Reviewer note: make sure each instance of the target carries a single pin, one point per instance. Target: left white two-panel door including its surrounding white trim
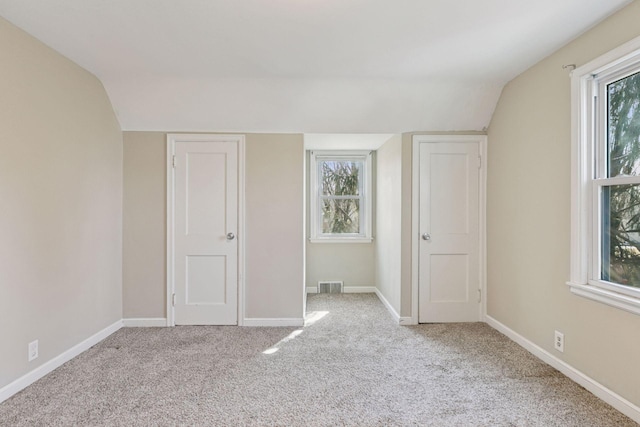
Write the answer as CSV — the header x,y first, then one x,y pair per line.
x,y
205,228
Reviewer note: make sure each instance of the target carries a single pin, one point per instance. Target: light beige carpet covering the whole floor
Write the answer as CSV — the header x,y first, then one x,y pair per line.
x,y
353,366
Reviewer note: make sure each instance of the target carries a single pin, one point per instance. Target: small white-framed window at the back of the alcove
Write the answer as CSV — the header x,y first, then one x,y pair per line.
x,y
340,196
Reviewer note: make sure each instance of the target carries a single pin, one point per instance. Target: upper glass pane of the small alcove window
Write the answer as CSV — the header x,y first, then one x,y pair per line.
x,y
340,178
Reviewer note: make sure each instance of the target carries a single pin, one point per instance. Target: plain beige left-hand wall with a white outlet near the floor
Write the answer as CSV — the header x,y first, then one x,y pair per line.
x,y
60,204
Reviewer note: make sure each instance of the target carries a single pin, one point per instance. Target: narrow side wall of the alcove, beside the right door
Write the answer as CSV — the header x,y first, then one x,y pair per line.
x,y
389,221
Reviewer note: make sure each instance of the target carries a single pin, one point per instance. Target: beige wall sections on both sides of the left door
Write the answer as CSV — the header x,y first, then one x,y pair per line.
x,y
274,242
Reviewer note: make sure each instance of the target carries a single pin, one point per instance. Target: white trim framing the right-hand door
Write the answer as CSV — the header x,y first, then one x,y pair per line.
x,y
482,141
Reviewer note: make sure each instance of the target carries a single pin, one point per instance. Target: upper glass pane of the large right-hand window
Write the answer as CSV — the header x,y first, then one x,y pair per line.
x,y
623,126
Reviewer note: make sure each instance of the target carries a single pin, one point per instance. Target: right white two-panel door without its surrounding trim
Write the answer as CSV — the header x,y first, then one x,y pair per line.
x,y
449,248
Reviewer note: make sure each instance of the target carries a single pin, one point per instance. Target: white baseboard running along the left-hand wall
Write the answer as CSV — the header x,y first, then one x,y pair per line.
x,y
42,370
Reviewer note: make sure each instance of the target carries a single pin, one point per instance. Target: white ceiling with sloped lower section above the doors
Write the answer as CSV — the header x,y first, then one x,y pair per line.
x,y
342,66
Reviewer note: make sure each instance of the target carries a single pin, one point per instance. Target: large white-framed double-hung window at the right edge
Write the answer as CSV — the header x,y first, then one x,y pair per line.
x,y
605,248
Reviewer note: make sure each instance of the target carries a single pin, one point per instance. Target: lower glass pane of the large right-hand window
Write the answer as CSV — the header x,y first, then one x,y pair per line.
x,y
621,234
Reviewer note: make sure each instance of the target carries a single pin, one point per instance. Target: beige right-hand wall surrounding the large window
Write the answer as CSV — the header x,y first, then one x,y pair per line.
x,y
529,219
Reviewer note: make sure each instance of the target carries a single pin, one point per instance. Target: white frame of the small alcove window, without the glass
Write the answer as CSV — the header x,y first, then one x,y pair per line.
x,y
365,213
